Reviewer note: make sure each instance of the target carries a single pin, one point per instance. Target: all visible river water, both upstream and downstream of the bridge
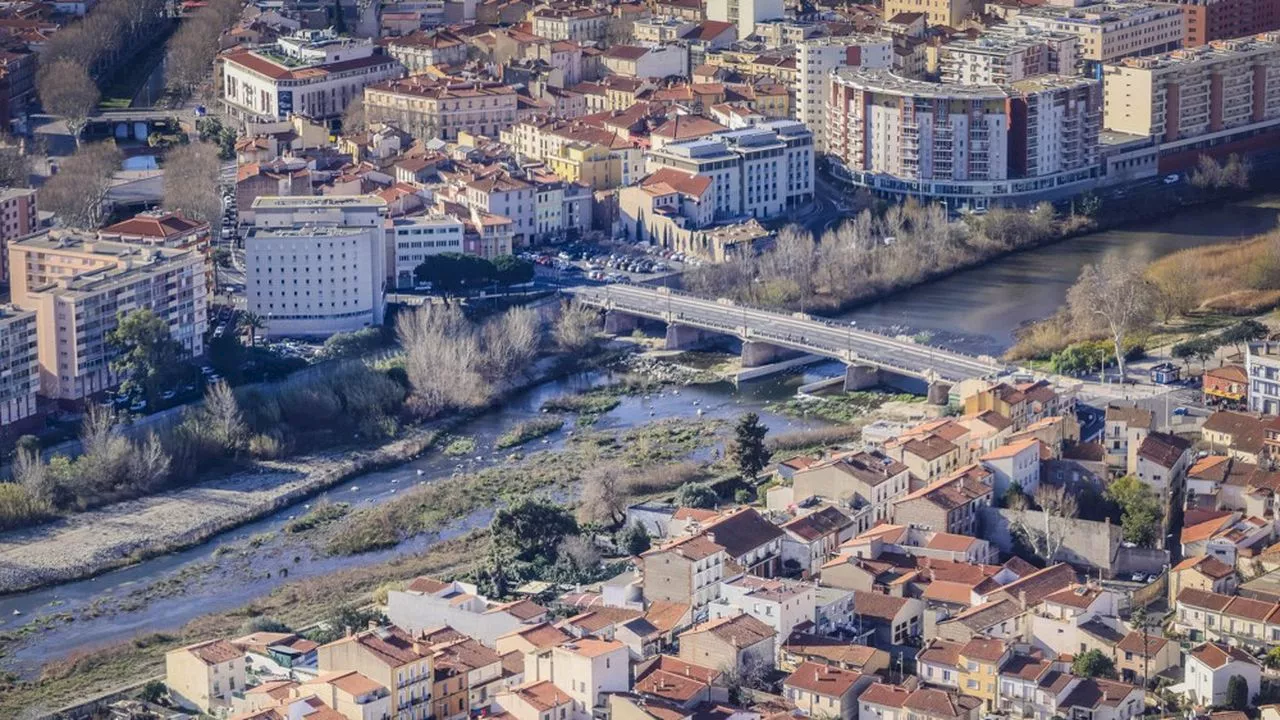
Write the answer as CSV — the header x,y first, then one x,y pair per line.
x,y
979,309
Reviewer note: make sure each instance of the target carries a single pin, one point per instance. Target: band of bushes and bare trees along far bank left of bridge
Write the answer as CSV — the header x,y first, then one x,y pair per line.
x,y
449,363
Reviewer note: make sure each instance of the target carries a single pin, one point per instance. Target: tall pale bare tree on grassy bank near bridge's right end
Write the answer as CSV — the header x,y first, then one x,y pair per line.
x,y
1114,297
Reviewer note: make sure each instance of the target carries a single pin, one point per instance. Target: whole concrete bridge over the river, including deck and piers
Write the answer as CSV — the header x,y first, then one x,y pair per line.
x,y
769,338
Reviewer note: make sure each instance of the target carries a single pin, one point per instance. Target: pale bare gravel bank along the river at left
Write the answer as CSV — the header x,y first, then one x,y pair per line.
x,y
120,535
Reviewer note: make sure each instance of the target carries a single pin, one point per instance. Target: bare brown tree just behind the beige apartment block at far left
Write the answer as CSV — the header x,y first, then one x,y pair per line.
x,y
77,194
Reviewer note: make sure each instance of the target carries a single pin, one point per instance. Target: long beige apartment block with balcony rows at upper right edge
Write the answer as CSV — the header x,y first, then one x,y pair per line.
x,y
1199,94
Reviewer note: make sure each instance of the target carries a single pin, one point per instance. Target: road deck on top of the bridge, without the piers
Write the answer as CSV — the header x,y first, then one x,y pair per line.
x,y
803,334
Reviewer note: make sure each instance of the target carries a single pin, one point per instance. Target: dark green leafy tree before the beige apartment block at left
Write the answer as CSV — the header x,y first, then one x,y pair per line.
x,y
148,358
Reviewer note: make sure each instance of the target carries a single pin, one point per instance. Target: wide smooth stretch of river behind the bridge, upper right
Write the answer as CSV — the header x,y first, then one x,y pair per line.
x,y
985,306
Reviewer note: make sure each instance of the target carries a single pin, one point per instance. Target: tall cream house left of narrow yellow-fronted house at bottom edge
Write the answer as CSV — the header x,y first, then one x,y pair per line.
x,y
391,658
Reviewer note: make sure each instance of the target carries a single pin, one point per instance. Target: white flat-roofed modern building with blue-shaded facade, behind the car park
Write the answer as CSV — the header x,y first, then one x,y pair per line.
x,y
758,172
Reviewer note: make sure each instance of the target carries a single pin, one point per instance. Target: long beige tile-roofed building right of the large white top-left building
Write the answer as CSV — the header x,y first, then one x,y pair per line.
x,y
429,108
